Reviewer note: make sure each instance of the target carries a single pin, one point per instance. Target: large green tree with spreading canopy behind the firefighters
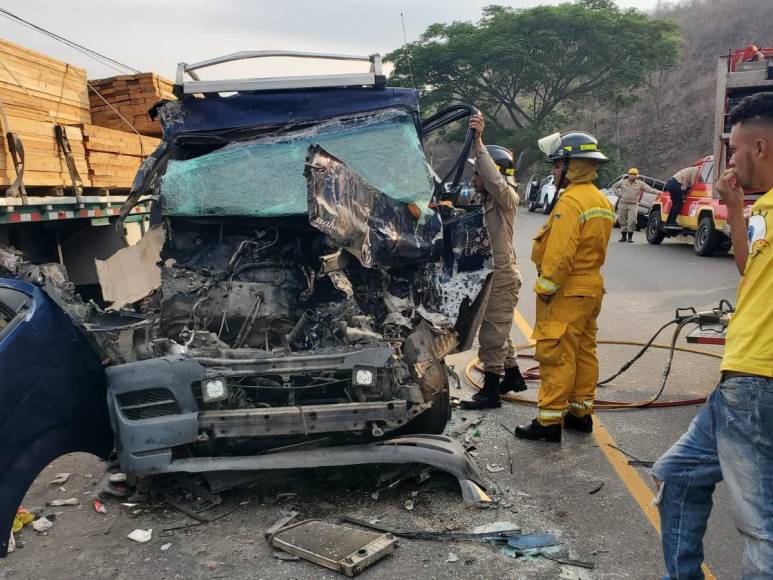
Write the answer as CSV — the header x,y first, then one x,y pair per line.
x,y
531,70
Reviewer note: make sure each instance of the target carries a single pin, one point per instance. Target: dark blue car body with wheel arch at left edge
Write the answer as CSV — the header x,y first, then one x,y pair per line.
x,y
53,398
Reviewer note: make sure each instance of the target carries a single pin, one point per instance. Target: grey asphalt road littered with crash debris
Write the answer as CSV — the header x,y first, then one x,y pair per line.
x,y
538,487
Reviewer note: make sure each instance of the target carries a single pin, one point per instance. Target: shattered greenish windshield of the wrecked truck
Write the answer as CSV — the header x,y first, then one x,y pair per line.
x,y
264,177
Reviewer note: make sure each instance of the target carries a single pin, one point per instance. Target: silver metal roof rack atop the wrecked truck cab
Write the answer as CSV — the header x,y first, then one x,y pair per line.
x,y
374,78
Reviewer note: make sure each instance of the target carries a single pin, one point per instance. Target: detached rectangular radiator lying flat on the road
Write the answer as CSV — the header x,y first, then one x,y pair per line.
x,y
340,548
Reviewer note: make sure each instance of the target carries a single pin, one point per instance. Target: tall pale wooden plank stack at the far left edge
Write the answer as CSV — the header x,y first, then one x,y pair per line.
x,y
38,92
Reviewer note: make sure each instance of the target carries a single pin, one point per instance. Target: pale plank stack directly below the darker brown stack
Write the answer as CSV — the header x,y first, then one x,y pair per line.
x,y
113,157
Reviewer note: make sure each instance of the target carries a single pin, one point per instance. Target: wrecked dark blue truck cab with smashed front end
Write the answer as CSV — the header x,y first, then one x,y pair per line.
x,y
312,282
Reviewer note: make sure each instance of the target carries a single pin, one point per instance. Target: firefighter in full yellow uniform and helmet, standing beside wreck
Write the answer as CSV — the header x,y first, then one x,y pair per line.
x,y
569,252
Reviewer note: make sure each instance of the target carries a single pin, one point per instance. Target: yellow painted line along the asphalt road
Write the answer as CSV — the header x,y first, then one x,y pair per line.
x,y
629,476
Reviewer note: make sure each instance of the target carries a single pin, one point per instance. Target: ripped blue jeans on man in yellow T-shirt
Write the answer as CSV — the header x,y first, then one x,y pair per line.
x,y
730,438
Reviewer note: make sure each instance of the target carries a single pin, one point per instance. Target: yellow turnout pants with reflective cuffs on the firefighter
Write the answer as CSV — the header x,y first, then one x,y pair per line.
x,y
565,333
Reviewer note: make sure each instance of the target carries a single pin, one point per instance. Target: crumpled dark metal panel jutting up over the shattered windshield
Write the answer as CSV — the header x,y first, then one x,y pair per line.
x,y
375,227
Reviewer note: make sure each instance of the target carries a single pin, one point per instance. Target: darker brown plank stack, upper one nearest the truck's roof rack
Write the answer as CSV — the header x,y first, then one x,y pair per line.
x,y
131,96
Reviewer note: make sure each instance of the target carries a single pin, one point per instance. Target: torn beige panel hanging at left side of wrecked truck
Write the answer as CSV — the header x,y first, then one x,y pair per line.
x,y
132,273
